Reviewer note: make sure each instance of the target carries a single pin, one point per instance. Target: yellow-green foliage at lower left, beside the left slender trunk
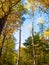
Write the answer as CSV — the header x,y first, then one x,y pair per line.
x,y
8,54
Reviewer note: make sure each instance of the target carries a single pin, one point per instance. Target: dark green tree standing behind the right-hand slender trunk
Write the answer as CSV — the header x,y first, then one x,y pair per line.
x,y
40,49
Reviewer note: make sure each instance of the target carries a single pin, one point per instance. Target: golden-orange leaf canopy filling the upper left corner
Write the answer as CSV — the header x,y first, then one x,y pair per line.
x,y
10,12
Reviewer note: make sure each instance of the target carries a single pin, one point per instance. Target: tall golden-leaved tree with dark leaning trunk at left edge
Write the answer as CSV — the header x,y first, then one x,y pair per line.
x,y
13,11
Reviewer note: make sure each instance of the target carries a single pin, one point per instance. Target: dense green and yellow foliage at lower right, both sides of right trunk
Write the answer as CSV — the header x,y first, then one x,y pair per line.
x,y
41,51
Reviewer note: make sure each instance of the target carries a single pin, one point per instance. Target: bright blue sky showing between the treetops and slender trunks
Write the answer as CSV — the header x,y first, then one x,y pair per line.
x,y
26,32
